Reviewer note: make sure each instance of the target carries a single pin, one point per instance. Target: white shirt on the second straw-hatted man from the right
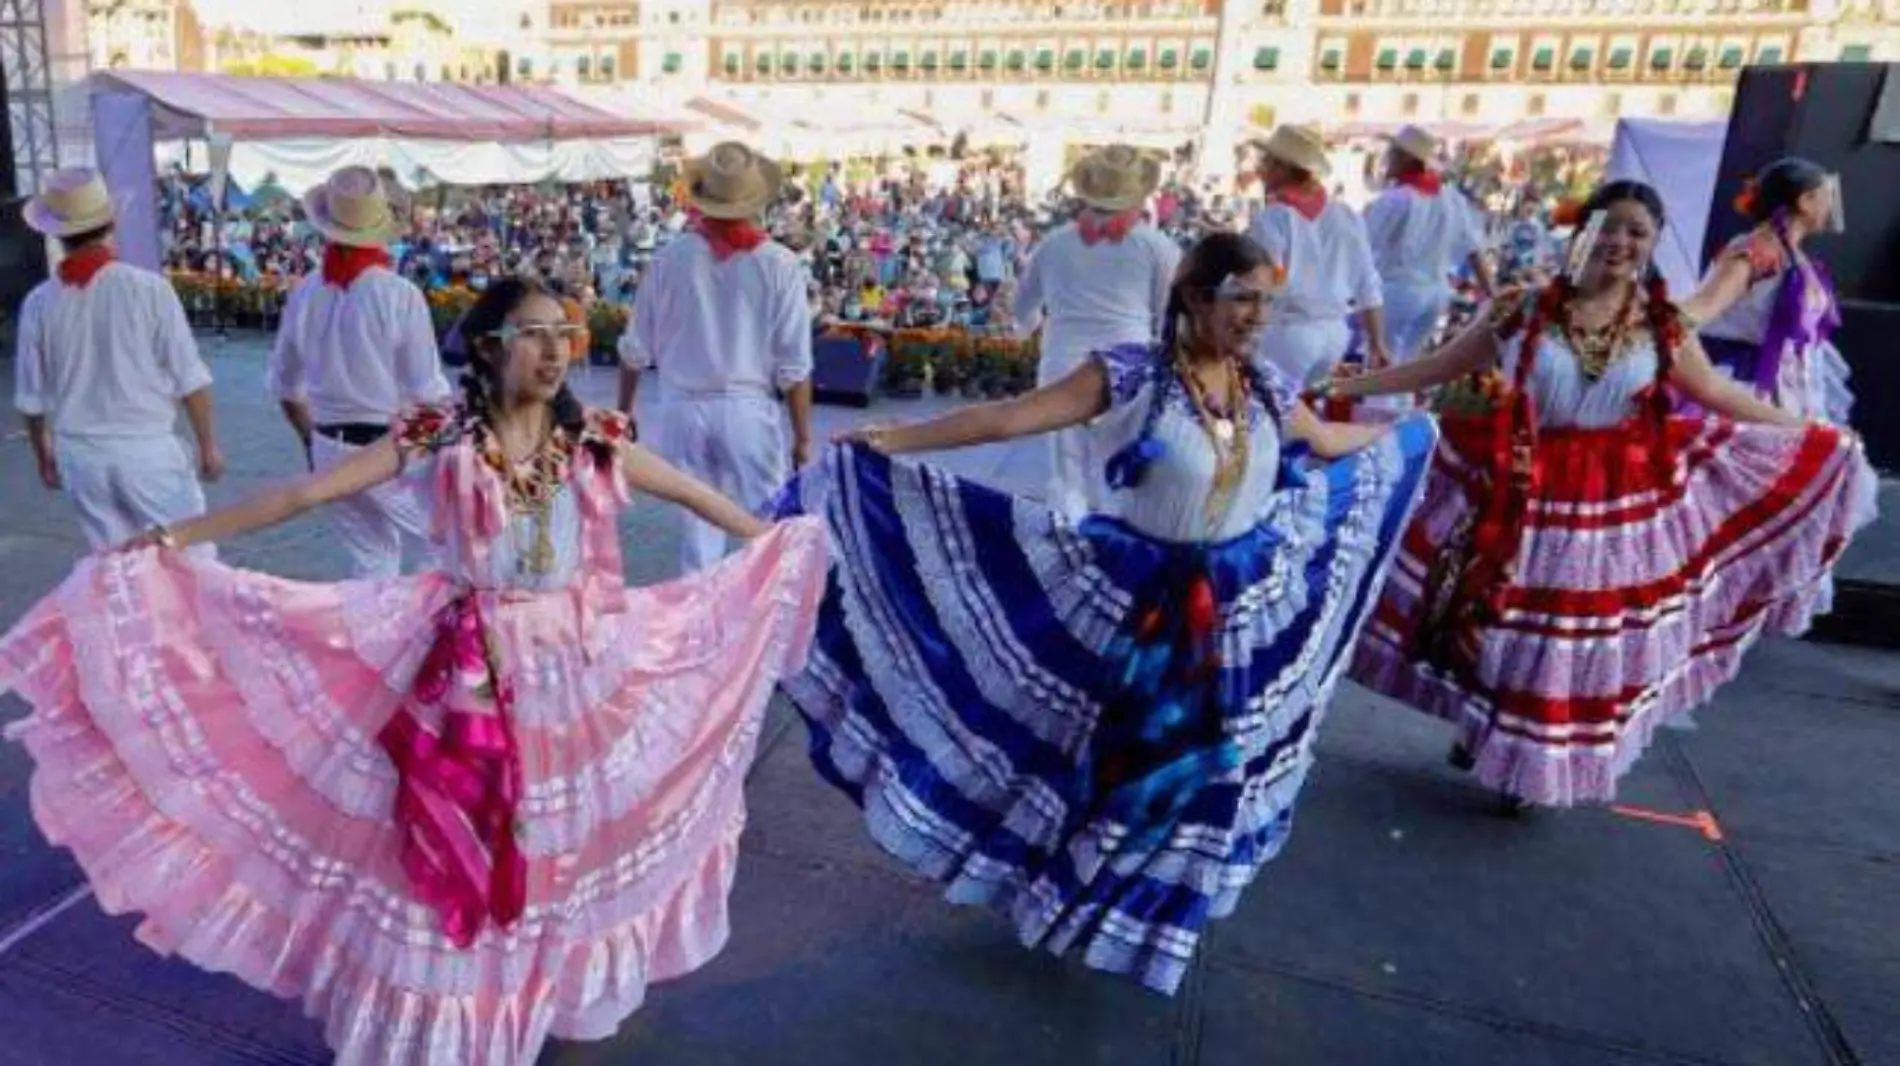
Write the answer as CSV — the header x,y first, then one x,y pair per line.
x,y
1329,263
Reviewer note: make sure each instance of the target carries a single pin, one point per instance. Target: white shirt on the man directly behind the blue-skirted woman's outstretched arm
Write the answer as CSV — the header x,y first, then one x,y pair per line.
x,y
1097,295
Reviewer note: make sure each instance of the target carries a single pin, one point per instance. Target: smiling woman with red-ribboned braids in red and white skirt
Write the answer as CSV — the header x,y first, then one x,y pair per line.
x,y
1587,567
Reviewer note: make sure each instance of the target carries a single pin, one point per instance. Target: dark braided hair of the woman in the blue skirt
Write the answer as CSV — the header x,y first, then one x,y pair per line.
x,y
1207,265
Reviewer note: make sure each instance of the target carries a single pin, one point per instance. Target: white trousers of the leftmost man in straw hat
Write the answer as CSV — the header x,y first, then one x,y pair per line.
x,y
124,487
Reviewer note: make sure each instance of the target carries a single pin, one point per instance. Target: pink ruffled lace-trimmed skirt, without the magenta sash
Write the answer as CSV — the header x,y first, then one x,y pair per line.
x,y
206,744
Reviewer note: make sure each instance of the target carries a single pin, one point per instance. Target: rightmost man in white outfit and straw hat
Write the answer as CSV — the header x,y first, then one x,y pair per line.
x,y
1420,233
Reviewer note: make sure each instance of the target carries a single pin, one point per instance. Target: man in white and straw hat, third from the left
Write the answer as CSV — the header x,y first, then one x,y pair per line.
x,y
725,324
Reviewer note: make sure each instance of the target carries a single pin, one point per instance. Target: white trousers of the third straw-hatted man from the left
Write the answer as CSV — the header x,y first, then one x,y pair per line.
x,y
732,442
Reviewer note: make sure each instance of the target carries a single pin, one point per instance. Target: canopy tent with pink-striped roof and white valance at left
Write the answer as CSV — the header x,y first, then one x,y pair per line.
x,y
295,132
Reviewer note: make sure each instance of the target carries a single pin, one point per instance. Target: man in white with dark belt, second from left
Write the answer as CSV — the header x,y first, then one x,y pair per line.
x,y
356,349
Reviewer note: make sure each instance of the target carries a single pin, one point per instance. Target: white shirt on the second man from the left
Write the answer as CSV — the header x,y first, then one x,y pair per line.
x,y
360,354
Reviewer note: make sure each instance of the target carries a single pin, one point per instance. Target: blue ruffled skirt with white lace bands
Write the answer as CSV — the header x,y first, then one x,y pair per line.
x,y
1090,731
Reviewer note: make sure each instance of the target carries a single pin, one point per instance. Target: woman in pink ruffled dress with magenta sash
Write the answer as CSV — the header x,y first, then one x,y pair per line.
x,y
455,814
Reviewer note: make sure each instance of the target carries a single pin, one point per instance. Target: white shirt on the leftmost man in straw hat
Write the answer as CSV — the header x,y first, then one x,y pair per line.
x,y
109,360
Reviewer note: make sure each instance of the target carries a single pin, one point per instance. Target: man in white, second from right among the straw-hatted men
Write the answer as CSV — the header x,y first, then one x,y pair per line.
x,y
1323,248
